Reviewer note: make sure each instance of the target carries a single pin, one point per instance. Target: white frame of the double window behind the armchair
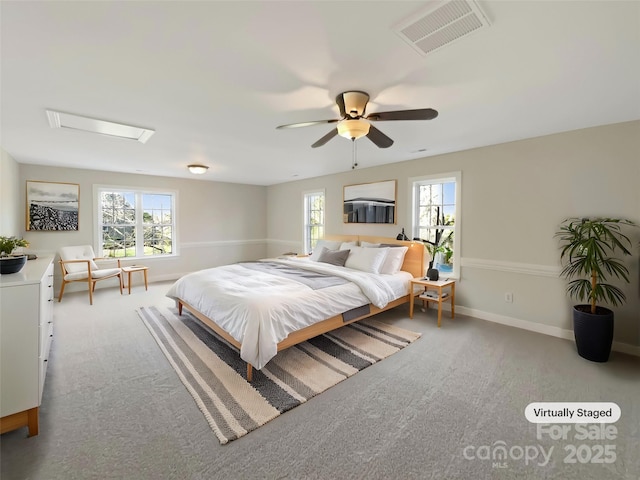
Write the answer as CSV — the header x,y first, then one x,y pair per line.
x,y
137,191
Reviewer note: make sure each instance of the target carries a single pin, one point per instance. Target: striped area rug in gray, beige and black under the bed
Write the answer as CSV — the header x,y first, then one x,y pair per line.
x,y
214,374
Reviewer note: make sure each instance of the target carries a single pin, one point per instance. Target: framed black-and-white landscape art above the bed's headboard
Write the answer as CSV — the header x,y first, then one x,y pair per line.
x,y
370,203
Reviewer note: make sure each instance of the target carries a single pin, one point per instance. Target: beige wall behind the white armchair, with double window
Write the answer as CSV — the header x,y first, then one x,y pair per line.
x,y
218,223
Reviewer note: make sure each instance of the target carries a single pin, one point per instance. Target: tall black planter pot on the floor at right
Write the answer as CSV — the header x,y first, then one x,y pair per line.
x,y
593,332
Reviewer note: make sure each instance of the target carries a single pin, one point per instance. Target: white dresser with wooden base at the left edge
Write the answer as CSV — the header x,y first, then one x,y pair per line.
x,y
26,331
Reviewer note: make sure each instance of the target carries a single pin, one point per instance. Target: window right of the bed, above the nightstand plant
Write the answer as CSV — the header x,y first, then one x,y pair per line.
x,y
436,218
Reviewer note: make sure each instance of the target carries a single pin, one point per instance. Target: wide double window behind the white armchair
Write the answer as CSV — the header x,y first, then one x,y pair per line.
x,y
135,223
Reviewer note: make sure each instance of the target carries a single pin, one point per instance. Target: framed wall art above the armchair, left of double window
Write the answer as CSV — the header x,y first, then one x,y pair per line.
x,y
52,206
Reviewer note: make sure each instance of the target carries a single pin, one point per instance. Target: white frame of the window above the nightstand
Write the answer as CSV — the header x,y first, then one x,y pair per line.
x,y
446,177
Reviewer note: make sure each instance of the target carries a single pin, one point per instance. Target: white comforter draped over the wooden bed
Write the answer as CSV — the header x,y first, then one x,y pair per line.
x,y
260,310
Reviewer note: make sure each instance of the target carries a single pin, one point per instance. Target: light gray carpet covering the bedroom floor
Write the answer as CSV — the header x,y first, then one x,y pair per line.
x,y
113,407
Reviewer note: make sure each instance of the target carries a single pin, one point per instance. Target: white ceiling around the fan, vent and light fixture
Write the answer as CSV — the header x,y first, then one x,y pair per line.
x,y
215,78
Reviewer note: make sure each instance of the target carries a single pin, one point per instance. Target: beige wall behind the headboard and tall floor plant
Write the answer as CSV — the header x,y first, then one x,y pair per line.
x,y
514,196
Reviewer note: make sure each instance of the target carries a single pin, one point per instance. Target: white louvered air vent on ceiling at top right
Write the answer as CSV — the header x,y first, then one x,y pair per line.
x,y
442,23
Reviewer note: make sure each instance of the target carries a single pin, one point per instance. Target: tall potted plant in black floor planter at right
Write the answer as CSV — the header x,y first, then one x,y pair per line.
x,y
591,251
